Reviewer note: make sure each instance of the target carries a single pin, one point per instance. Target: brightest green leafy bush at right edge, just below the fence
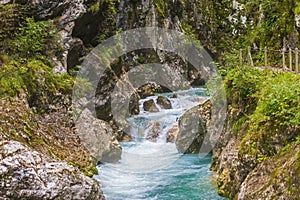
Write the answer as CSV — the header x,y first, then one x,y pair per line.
x,y
278,104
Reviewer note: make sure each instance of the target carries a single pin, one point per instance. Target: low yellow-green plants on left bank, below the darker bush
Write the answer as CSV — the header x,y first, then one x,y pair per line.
x,y
32,77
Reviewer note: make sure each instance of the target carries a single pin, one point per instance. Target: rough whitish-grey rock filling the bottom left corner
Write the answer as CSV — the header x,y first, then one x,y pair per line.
x,y
27,174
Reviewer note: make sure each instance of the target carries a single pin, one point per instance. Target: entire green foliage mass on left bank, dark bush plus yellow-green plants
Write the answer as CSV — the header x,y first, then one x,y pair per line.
x,y
29,67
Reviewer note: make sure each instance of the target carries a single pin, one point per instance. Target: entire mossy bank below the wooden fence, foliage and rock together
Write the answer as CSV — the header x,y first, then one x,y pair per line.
x,y
257,156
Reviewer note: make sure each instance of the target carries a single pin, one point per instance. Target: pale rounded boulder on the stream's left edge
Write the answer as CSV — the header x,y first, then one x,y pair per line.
x,y
98,138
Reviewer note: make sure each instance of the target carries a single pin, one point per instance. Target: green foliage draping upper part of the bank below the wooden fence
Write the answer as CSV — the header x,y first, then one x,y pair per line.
x,y
267,103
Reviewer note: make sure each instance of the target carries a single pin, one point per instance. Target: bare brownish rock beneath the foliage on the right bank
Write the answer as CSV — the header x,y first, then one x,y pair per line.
x,y
241,175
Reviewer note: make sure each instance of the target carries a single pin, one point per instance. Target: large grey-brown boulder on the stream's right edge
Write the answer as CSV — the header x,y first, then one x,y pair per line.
x,y
193,136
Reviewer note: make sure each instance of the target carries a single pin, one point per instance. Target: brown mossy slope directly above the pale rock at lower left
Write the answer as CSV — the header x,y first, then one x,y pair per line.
x,y
51,134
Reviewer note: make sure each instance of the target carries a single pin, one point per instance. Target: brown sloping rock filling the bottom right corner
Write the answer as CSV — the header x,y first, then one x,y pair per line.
x,y
277,178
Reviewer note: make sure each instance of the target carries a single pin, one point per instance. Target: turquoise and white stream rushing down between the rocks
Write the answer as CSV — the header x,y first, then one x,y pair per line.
x,y
155,170
